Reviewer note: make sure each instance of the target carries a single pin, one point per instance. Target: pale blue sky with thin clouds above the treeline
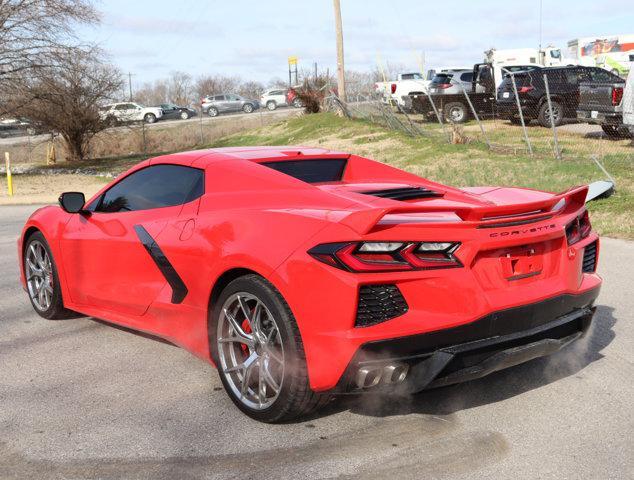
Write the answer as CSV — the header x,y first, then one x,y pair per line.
x,y
252,39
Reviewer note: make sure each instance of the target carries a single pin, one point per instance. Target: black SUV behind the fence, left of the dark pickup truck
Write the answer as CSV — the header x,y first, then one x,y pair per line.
x,y
563,83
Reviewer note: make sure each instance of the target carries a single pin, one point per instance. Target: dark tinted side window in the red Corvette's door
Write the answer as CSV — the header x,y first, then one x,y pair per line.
x,y
155,186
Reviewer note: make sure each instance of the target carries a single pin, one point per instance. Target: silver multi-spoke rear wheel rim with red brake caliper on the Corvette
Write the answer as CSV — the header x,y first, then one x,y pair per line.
x,y
250,350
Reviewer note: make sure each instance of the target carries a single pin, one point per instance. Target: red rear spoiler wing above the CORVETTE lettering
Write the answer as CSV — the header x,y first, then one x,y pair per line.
x,y
363,221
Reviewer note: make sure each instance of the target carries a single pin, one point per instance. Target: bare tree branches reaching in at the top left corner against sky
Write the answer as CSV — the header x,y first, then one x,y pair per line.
x,y
32,32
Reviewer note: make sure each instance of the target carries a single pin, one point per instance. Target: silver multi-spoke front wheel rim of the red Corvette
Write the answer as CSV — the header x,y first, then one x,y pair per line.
x,y
39,275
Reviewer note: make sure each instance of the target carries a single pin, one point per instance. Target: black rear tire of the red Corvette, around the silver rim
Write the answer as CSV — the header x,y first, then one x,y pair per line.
x,y
295,397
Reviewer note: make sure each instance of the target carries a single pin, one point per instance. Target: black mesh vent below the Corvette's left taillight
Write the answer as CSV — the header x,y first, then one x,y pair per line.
x,y
378,303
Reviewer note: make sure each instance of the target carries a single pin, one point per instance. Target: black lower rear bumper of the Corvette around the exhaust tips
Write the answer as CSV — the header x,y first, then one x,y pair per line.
x,y
499,340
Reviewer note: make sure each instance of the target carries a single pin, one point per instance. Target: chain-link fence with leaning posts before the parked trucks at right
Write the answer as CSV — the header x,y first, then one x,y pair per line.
x,y
559,113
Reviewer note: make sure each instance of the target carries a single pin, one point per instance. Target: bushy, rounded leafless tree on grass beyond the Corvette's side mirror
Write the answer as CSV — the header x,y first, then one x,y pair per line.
x,y
64,97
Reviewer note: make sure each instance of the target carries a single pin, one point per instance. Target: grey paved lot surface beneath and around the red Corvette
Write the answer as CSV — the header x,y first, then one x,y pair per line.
x,y
83,399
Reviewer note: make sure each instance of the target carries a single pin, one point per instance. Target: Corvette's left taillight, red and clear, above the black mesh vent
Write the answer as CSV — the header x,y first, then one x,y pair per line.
x,y
387,256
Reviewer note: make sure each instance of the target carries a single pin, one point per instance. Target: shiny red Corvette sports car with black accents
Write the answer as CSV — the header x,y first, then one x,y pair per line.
x,y
301,272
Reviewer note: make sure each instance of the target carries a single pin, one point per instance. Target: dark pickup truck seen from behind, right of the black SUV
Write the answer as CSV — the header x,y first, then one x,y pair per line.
x,y
601,102
